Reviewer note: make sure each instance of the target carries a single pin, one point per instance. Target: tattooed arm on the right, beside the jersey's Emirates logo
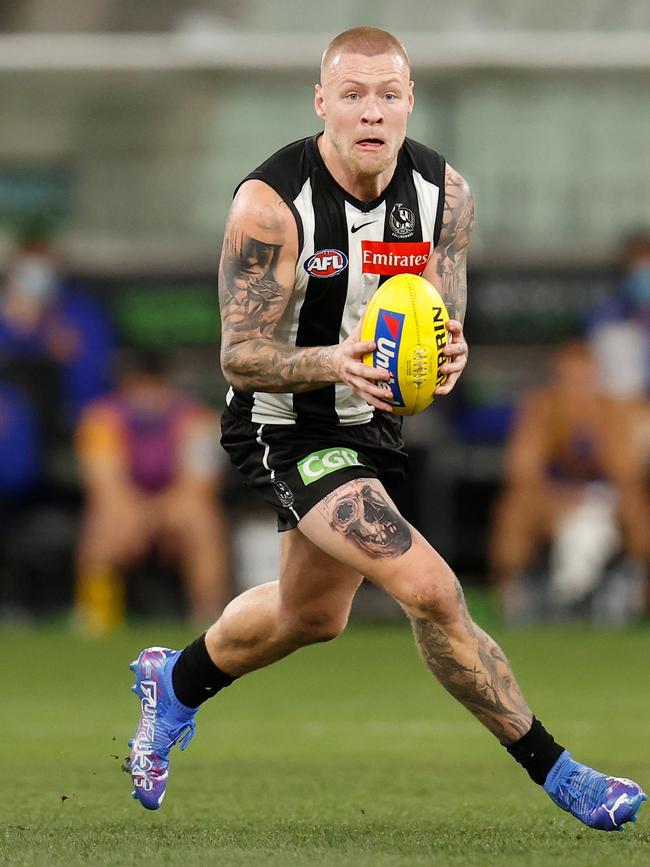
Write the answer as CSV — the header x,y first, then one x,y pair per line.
x,y
451,253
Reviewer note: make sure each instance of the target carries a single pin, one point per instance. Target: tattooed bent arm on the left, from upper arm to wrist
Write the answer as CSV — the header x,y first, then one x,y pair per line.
x,y
252,301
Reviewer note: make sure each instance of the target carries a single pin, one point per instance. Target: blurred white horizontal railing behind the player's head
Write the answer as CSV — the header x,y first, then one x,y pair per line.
x,y
226,50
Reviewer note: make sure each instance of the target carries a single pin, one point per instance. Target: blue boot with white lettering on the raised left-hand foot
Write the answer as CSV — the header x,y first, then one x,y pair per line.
x,y
163,722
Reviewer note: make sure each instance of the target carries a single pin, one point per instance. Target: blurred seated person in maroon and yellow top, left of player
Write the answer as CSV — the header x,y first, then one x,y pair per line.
x,y
149,467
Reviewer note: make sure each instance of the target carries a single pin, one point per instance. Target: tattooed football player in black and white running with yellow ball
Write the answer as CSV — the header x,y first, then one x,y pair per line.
x,y
311,234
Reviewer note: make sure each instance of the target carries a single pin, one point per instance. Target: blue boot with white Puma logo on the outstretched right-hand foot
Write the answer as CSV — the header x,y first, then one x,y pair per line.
x,y
601,802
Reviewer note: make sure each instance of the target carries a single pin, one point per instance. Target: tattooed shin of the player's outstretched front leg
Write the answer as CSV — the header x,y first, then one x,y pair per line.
x,y
474,669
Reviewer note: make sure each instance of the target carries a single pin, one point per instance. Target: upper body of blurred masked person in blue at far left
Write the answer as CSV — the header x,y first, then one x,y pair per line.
x,y
56,342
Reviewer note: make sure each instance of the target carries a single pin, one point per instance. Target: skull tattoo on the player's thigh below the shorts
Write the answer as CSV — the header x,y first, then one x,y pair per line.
x,y
363,514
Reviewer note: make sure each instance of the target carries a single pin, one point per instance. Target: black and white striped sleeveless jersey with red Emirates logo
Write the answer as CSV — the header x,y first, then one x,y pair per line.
x,y
347,249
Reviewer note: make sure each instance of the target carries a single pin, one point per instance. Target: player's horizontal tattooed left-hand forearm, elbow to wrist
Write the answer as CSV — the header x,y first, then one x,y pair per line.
x,y
264,365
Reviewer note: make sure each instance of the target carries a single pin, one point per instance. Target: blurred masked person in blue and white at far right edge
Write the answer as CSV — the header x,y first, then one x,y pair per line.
x,y
619,327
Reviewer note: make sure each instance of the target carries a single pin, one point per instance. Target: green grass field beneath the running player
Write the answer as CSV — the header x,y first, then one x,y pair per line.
x,y
346,753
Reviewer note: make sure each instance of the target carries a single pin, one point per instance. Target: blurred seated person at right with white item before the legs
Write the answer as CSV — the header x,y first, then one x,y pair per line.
x,y
575,480
